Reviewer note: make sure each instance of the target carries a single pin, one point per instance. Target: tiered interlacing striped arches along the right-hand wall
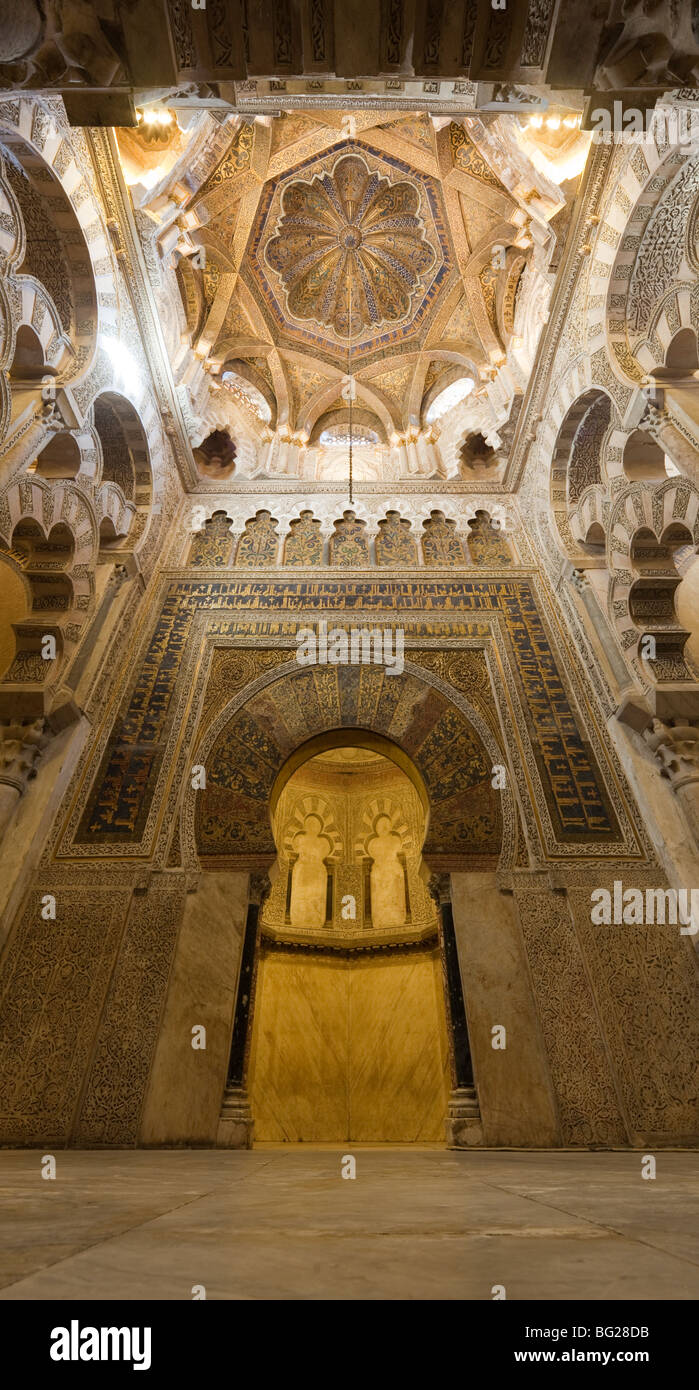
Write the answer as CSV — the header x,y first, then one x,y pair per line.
x,y
634,315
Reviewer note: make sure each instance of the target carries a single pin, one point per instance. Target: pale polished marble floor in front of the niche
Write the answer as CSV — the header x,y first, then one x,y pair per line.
x,y
413,1225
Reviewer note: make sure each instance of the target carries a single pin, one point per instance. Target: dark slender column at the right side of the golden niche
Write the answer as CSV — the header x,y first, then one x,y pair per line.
x,y
463,1122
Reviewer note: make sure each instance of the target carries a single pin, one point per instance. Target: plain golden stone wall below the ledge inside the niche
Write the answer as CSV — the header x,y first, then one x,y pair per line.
x,y
349,1047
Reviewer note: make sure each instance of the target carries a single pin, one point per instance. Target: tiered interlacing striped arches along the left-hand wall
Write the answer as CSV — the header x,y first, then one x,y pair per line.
x,y
83,450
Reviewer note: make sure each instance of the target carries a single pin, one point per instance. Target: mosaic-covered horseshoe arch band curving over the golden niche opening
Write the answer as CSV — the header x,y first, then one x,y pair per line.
x,y
233,812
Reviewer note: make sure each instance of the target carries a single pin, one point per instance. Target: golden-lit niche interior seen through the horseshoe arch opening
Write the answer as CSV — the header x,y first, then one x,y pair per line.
x,y
349,1029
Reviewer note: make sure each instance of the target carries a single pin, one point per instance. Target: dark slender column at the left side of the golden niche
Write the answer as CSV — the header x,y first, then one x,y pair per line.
x,y
236,1124
